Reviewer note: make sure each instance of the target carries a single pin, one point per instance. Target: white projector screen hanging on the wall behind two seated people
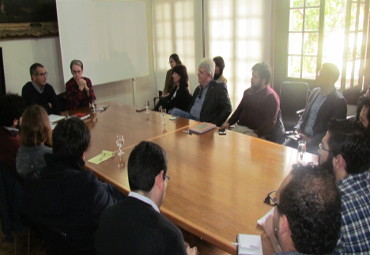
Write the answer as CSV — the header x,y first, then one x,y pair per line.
x,y
109,37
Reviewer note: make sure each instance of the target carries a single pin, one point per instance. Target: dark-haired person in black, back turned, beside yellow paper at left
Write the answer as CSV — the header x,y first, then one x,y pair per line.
x,y
67,198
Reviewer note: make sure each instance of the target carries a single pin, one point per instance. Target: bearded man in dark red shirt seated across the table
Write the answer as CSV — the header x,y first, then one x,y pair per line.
x,y
259,111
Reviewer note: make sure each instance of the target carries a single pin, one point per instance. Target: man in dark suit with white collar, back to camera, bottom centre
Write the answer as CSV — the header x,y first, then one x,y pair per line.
x,y
135,225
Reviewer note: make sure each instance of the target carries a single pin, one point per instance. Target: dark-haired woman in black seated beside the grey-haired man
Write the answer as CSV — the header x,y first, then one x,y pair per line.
x,y
180,96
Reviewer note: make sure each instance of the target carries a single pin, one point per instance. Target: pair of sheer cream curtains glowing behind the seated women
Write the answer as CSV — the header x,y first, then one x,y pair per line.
x,y
237,30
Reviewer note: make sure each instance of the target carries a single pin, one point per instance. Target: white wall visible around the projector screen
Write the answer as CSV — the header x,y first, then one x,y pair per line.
x,y
19,55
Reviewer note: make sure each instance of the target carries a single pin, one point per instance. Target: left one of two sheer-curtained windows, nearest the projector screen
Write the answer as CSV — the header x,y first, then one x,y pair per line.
x,y
173,33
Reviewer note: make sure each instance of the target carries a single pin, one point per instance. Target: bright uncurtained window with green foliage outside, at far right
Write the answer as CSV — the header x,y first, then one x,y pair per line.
x,y
333,31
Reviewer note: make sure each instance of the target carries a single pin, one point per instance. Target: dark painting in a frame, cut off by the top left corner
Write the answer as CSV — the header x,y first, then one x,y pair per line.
x,y
27,18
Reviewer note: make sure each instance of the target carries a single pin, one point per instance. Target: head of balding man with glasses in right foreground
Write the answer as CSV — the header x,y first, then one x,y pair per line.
x,y
306,218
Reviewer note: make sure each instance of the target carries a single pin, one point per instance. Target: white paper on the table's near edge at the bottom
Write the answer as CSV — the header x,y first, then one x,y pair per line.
x,y
249,244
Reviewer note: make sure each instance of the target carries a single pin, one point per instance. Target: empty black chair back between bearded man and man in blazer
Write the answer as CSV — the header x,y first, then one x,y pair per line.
x,y
293,98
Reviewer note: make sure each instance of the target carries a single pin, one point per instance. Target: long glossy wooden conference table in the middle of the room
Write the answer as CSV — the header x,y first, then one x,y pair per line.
x,y
218,183
